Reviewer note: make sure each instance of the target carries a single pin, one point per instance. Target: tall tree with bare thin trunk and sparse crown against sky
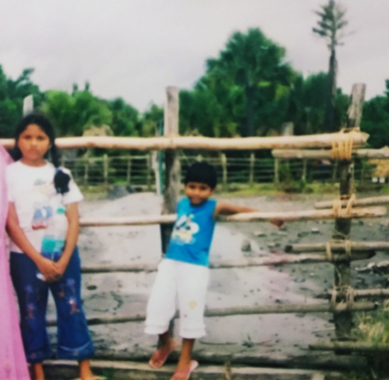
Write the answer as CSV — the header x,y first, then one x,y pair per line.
x,y
331,27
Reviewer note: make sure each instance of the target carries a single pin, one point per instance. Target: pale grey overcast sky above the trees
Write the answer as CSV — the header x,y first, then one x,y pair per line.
x,y
135,48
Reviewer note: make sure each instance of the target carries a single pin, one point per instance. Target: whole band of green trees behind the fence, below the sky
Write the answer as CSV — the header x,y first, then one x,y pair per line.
x,y
248,90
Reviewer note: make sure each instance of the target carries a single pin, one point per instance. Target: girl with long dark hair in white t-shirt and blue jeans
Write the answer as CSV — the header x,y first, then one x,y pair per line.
x,y
42,203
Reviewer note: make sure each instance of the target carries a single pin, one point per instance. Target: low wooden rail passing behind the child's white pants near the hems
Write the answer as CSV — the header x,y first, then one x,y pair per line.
x,y
243,310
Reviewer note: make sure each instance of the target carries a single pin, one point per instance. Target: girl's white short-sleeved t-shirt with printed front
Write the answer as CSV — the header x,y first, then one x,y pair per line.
x,y
32,191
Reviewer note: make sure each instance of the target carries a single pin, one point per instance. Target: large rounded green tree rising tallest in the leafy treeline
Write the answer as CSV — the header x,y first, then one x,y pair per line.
x,y
241,90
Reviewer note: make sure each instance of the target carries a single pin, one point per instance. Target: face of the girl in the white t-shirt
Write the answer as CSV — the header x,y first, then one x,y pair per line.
x,y
33,143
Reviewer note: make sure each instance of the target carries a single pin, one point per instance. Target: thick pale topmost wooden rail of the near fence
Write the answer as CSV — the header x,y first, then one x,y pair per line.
x,y
207,143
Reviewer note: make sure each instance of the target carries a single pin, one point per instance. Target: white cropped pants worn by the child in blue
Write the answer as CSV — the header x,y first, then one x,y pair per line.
x,y
186,283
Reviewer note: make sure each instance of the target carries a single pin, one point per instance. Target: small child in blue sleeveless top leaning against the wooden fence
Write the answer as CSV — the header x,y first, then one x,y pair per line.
x,y
183,273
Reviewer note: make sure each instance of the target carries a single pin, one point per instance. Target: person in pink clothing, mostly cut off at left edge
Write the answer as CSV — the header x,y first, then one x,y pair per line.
x,y
13,365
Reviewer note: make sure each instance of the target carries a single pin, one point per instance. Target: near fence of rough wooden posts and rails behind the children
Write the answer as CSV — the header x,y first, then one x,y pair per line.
x,y
340,250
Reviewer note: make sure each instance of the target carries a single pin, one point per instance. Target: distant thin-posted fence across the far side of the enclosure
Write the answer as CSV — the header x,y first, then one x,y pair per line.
x,y
139,170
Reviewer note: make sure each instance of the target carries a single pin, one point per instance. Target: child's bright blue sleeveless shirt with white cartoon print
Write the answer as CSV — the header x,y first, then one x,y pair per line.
x,y
192,233
